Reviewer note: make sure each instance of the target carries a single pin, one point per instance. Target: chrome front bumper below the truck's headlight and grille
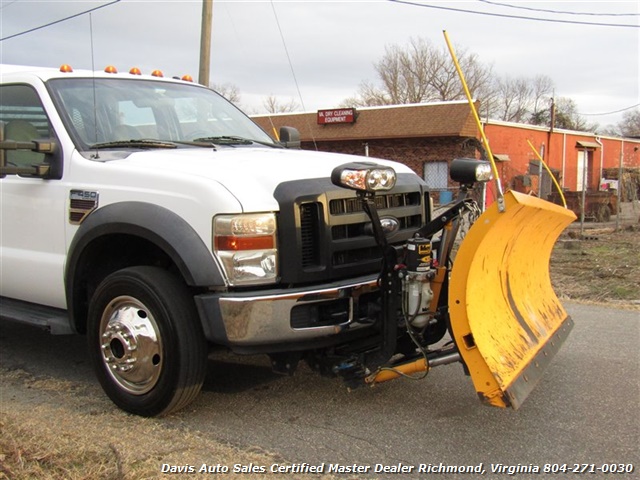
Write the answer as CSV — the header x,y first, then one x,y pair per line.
x,y
250,319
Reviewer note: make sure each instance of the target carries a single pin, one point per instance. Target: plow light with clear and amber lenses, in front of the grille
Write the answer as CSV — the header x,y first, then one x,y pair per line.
x,y
364,176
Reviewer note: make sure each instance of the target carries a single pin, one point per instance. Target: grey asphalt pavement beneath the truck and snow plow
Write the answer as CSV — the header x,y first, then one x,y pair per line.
x,y
583,417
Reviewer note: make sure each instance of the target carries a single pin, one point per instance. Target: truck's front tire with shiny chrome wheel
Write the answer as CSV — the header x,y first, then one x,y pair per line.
x,y
146,342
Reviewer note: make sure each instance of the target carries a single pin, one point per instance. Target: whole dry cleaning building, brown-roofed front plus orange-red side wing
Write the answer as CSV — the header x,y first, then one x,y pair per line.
x,y
426,137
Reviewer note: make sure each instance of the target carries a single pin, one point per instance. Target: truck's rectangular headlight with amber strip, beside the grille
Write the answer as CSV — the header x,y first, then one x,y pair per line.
x,y
246,246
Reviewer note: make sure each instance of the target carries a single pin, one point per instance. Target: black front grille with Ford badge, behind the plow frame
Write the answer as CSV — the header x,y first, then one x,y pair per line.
x,y
325,235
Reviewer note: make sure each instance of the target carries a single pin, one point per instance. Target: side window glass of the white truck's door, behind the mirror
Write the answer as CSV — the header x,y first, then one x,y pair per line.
x,y
23,119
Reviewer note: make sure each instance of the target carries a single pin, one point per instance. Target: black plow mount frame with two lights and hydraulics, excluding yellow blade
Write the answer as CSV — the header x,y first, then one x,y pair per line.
x,y
413,286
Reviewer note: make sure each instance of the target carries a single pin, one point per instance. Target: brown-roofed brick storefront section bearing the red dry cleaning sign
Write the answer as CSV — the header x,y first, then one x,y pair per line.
x,y
419,136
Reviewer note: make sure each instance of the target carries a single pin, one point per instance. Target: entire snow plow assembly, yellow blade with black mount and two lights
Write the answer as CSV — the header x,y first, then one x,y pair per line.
x,y
497,301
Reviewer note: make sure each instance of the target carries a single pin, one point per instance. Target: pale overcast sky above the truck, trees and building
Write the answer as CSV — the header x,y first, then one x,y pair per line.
x,y
318,52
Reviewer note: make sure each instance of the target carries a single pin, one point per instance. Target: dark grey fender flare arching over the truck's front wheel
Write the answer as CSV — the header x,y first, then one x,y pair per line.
x,y
155,224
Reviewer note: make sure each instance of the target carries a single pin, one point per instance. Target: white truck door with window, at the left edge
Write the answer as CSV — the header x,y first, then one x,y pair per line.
x,y
32,247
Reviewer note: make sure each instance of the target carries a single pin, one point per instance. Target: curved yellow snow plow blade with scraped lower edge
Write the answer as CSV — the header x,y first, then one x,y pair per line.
x,y
506,319
